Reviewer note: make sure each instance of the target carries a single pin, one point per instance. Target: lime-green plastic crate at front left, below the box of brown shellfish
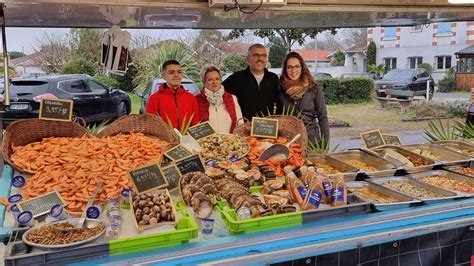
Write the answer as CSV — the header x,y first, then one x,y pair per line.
x,y
186,230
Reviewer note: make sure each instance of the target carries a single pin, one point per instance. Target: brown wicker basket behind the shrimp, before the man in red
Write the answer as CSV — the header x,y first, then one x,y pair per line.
x,y
147,124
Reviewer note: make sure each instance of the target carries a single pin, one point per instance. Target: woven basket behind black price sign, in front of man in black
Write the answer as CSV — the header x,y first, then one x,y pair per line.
x,y
288,127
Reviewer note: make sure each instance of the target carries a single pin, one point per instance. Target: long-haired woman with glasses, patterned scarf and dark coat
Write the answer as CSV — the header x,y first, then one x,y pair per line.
x,y
298,87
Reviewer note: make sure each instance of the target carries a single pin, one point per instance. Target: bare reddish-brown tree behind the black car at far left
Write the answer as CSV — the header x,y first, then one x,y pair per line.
x,y
52,51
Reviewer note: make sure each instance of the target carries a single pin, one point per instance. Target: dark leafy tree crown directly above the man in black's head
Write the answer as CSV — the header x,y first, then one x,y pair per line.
x,y
289,37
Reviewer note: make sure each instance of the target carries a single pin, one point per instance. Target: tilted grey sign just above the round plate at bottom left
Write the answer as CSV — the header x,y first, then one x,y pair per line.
x,y
41,204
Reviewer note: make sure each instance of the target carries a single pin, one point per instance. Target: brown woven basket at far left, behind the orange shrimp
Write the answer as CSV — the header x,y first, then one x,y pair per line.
x,y
26,131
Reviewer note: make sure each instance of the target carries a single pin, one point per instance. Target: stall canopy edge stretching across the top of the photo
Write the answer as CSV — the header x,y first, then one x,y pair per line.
x,y
223,14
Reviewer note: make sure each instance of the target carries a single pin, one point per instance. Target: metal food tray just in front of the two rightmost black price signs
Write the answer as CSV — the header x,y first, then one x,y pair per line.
x,y
424,163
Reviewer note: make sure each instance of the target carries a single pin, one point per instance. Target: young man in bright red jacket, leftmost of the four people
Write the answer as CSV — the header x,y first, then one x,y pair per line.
x,y
171,101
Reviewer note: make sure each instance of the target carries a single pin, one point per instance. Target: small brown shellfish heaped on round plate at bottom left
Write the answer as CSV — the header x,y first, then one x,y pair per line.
x,y
62,233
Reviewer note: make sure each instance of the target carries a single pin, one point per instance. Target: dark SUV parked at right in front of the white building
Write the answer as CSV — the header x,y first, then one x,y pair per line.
x,y
406,79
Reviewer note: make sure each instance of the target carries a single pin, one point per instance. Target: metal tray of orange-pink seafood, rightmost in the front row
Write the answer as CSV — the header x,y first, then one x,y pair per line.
x,y
465,185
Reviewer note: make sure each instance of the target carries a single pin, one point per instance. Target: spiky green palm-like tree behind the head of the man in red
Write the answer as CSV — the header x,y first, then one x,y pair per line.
x,y
149,67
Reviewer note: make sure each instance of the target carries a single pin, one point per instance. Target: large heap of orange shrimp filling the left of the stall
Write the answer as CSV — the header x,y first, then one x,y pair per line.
x,y
72,166
